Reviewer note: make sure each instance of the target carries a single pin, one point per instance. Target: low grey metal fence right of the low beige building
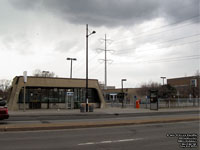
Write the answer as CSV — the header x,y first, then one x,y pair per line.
x,y
162,103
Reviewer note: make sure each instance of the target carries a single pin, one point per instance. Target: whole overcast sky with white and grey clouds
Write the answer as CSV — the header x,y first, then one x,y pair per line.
x,y
148,38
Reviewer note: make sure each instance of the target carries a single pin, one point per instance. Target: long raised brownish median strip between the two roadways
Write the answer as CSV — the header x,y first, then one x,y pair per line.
x,y
76,125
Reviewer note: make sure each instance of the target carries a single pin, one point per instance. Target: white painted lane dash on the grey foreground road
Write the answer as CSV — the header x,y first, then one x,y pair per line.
x,y
107,142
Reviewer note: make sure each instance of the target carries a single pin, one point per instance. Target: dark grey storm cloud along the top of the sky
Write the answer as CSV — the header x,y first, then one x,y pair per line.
x,y
113,12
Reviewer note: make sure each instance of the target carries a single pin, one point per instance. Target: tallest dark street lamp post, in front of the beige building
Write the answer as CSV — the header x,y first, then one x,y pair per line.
x,y
87,35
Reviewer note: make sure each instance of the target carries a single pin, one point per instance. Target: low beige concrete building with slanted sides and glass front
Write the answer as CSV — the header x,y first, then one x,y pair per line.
x,y
53,93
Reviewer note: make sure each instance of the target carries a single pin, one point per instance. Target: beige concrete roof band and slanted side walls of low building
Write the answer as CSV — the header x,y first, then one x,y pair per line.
x,y
18,84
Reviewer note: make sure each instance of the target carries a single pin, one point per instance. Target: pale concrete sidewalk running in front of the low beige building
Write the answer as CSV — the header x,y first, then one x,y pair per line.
x,y
110,110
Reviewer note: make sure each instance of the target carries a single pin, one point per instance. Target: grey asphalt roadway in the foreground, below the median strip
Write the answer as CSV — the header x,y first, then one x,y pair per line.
x,y
140,137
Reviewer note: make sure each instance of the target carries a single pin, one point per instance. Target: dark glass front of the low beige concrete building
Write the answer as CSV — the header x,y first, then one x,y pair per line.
x,y
57,95
